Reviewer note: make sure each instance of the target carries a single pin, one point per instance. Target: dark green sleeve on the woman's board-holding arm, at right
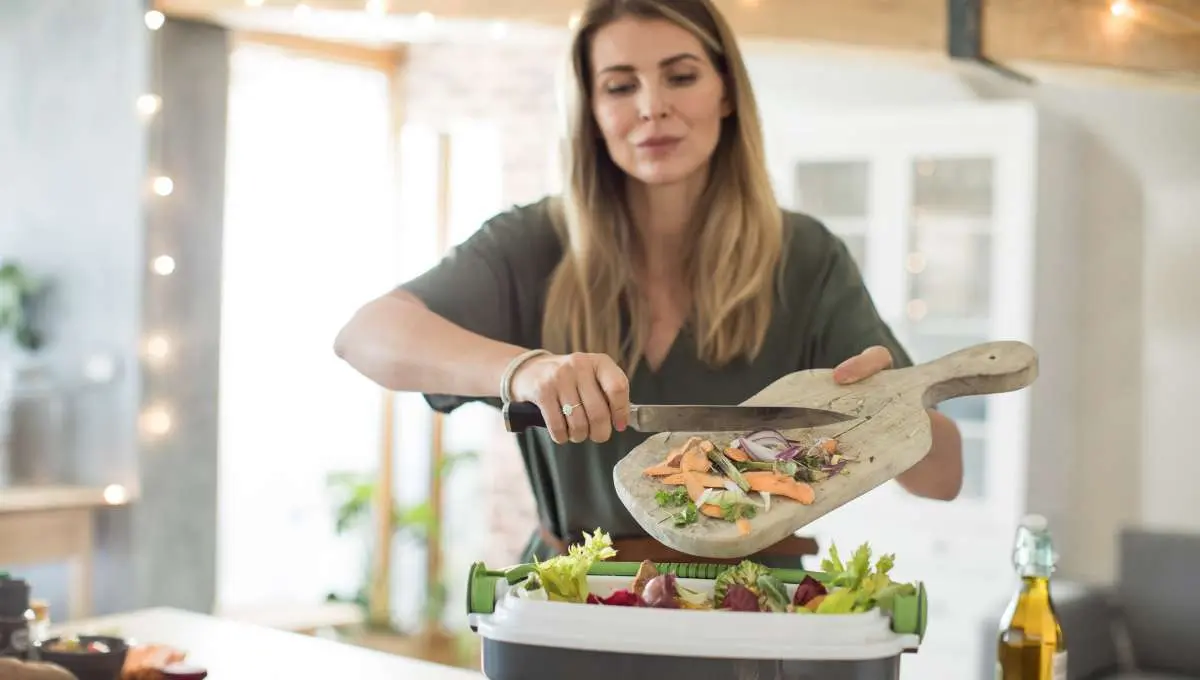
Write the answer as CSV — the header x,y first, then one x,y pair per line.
x,y
847,321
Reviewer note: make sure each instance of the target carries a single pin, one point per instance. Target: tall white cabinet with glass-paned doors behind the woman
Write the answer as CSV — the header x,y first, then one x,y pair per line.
x,y
962,220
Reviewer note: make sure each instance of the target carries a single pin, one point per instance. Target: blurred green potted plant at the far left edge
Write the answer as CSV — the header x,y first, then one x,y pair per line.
x,y
17,339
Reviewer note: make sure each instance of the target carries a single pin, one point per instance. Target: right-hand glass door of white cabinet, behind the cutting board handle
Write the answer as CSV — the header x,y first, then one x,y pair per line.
x,y
949,274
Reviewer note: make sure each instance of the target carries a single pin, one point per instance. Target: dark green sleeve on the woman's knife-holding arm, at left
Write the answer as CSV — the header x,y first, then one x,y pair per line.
x,y
493,284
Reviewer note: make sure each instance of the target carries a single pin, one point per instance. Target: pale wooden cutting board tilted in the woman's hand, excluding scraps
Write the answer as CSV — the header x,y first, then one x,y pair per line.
x,y
891,436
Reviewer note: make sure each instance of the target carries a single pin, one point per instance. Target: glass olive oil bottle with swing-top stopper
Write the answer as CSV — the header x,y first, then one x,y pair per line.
x,y
1031,646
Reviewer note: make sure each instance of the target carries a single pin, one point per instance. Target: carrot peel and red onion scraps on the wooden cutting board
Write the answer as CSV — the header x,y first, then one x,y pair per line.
x,y
718,483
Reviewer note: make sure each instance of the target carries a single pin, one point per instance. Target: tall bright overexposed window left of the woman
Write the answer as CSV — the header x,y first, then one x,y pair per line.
x,y
310,234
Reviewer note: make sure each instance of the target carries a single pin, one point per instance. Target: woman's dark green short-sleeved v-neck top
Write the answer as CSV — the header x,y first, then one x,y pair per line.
x,y
495,285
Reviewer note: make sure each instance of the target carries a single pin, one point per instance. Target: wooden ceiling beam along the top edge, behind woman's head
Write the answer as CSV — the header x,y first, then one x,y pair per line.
x,y
1155,37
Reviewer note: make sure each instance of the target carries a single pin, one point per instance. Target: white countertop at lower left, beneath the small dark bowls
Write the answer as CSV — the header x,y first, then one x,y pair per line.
x,y
233,651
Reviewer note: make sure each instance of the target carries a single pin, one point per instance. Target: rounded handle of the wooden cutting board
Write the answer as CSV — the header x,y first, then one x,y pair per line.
x,y
988,369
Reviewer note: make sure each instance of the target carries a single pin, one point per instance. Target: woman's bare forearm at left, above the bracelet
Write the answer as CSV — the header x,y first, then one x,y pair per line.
x,y
399,344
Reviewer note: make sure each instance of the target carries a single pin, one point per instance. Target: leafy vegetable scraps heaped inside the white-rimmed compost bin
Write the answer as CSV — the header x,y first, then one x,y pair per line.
x,y
845,588
